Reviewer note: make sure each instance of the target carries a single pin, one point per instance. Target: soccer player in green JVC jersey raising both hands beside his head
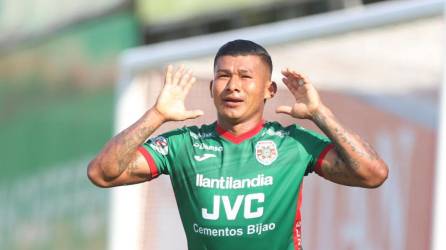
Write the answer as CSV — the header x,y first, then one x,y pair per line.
x,y
237,181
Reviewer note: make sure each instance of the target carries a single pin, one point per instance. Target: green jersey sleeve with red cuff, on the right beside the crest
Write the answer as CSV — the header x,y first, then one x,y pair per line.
x,y
315,145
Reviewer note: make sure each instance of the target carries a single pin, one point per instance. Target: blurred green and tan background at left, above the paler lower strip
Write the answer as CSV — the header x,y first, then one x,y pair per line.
x,y
56,94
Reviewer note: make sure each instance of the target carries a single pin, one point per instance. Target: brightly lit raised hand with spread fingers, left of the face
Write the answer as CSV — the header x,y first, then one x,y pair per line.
x,y
170,103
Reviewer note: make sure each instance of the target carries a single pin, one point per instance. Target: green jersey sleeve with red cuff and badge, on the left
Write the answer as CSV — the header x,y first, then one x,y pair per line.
x,y
158,152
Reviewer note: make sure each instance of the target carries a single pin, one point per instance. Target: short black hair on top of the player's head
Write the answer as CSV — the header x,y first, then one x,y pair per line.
x,y
241,47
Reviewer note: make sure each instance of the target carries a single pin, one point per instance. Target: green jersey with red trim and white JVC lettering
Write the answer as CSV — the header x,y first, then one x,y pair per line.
x,y
238,192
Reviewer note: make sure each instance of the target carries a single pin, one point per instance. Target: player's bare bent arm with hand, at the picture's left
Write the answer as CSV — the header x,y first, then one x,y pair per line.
x,y
120,162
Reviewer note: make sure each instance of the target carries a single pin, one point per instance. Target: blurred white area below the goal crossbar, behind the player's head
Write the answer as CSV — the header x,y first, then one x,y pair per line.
x,y
398,58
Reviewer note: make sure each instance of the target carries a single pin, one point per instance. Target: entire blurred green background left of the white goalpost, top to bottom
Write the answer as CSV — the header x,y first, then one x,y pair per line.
x,y
56,112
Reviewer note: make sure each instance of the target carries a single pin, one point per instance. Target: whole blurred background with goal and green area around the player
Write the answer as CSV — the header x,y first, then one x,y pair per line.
x,y
72,73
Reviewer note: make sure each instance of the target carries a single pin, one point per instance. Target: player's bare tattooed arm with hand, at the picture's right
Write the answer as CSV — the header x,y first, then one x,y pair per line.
x,y
352,161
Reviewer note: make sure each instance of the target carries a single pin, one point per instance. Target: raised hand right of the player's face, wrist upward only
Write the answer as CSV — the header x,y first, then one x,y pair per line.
x,y
306,96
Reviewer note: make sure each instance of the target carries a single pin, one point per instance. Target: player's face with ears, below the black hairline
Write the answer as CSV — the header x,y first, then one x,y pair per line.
x,y
240,85
